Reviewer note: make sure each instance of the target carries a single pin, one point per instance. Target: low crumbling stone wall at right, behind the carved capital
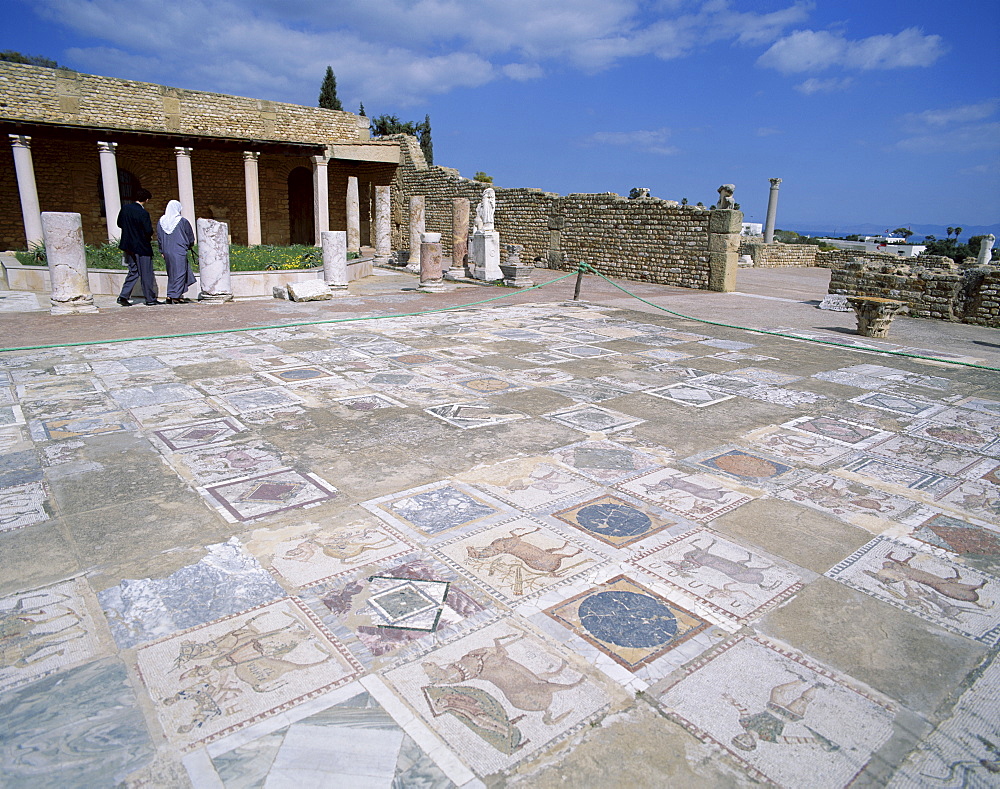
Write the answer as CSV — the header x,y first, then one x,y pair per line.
x,y
932,287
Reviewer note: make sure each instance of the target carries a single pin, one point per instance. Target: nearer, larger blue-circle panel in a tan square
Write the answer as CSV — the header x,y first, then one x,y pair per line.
x,y
627,621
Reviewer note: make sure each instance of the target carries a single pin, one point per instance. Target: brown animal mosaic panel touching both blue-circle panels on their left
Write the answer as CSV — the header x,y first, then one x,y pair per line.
x,y
518,559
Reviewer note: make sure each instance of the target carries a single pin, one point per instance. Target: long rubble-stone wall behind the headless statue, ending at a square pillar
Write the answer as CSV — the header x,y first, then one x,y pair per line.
x,y
645,239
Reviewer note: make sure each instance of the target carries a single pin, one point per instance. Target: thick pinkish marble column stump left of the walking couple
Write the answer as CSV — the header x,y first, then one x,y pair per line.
x,y
63,237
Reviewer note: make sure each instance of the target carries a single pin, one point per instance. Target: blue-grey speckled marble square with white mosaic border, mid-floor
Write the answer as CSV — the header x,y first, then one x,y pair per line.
x,y
439,507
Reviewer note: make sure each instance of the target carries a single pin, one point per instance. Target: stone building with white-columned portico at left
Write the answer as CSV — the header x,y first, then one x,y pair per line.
x,y
276,173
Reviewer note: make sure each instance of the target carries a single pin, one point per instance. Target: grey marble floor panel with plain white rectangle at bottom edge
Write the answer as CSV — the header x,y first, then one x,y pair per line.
x,y
355,743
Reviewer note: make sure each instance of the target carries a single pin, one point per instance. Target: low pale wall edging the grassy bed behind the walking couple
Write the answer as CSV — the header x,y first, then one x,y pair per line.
x,y
108,282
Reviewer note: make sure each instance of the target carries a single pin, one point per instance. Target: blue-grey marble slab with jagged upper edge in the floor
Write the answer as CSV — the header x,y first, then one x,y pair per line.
x,y
228,580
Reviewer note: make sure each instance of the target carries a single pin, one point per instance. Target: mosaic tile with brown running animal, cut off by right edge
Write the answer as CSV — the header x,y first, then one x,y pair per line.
x,y
953,596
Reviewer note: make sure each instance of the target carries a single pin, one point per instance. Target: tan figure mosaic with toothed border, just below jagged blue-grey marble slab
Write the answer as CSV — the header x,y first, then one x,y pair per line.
x,y
220,677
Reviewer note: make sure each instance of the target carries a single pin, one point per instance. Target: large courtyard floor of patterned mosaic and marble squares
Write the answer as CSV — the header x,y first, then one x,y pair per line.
x,y
466,549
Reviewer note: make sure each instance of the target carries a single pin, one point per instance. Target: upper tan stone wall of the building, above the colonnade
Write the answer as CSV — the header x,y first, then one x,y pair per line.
x,y
44,95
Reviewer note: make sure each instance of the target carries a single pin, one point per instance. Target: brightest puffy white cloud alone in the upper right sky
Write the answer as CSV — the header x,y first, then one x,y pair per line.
x,y
815,50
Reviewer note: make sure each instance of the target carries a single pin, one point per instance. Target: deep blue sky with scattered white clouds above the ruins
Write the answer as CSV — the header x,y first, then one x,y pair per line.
x,y
870,111
